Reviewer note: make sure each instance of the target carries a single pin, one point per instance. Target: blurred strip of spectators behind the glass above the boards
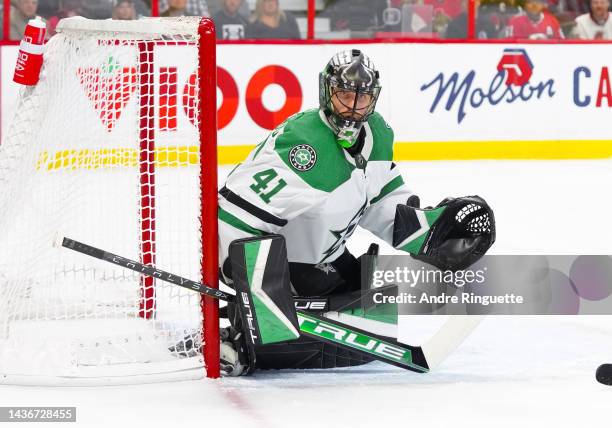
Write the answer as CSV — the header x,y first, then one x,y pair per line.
x,y
268,19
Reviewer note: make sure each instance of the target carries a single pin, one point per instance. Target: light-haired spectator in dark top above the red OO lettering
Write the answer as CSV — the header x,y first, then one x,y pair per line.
x,y
269,21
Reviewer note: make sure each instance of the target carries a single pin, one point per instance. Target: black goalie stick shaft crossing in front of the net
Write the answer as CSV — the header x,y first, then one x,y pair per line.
x,y
145,269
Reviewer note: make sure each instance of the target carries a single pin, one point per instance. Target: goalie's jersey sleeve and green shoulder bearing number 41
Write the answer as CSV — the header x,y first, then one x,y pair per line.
x,y
281,179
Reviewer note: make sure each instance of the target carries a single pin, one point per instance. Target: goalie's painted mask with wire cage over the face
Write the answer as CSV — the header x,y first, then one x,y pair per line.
x,y
348,91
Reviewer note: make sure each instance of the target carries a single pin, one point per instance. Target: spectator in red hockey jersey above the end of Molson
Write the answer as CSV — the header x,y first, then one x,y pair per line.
x,y
536,23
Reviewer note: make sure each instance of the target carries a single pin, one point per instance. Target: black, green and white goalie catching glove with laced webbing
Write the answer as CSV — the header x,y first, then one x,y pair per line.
x,y
452,236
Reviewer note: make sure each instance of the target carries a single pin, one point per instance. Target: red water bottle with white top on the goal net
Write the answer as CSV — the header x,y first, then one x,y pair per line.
x,y
29,59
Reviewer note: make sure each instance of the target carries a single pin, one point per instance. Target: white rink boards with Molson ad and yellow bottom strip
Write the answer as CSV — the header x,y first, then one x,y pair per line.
x,y
444,101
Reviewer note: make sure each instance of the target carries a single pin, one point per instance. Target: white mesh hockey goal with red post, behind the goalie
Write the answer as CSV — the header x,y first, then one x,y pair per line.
x,y
115,146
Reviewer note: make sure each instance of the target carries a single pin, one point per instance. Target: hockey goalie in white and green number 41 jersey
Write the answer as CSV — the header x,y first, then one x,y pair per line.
x,y
314,179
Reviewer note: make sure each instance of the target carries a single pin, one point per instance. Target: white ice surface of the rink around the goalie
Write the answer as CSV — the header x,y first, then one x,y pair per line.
x,y
512,371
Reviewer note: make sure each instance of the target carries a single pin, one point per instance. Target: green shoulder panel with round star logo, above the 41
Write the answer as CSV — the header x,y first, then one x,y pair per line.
x,y
308,147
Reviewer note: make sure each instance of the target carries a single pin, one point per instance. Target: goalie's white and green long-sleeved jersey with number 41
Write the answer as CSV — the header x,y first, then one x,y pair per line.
x,y
303,185
